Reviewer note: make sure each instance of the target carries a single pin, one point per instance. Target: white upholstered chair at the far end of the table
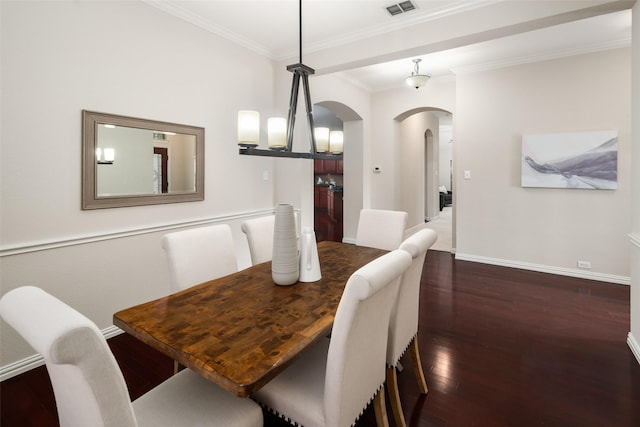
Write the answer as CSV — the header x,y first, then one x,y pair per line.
x,y
382,229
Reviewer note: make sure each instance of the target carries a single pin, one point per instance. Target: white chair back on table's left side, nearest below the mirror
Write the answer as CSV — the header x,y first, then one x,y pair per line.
x,y
200,254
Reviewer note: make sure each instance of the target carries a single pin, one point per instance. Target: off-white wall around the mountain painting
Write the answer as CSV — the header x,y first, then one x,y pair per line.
x,y
499,221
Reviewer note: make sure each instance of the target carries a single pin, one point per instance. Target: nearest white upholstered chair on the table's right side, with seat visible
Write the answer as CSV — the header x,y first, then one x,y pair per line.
x,y
332,383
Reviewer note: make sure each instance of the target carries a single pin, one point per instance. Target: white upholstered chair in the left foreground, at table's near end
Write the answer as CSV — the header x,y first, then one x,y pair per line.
x,y
88,385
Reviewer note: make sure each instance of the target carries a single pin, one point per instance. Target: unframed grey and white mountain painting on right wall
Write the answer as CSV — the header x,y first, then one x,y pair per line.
x,y
586,160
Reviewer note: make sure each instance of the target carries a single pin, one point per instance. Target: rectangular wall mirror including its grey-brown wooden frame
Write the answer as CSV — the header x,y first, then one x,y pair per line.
x,y
133,162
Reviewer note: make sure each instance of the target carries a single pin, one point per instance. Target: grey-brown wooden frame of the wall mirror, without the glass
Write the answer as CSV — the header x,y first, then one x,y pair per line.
x,y
90,200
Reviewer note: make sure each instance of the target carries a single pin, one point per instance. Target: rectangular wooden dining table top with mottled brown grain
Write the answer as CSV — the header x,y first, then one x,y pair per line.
x,y
241,330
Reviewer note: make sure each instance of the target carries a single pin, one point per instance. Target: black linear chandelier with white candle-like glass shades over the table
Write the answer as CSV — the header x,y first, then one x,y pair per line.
x,y
280,131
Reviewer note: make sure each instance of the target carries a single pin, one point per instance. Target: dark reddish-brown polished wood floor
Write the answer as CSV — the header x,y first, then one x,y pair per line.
x,y
500,347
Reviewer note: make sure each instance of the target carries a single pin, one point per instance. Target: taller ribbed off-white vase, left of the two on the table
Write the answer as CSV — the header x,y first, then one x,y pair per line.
x,y
285,267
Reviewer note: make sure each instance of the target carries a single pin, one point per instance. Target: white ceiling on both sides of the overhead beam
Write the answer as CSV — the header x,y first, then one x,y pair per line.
x,y
328,23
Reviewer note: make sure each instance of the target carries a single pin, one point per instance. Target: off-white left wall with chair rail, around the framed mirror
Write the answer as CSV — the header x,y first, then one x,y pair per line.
x,y
125,58
